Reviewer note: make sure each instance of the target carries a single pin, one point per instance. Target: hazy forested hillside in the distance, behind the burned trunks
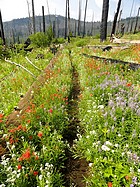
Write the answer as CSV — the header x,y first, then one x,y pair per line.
x,y
18,30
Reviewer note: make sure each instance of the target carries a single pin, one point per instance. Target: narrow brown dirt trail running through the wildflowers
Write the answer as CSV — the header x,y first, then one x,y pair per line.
x,y
75,169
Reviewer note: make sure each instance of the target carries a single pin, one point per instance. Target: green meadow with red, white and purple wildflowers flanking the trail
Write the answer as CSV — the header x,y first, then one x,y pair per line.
x,y
107,110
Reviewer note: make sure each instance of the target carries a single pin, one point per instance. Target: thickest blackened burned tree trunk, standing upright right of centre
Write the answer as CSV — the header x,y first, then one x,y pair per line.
x,y
103,31
